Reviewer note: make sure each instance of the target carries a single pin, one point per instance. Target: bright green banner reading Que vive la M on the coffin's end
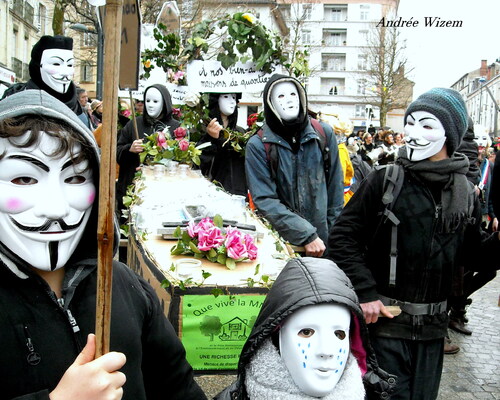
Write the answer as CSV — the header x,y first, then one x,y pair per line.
x,y
214,329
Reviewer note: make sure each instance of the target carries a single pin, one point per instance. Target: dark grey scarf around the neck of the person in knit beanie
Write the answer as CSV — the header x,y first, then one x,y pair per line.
x,y
455,204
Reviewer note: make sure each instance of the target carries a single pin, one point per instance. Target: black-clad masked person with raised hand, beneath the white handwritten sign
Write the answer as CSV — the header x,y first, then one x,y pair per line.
x,y
220,162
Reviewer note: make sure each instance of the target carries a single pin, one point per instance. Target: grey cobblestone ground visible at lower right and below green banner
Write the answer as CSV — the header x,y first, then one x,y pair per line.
x,y
472,373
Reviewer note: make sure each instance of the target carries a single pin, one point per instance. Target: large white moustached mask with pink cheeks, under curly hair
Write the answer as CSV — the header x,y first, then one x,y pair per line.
x,y
45,202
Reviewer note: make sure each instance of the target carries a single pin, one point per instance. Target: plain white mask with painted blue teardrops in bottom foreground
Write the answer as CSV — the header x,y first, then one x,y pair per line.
x,y
314,345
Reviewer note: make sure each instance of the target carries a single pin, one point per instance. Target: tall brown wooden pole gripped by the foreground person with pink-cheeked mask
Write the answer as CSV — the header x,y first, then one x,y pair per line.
x,y
105,228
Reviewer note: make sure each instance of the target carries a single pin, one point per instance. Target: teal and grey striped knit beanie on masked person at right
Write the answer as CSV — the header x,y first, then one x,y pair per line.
x,y
449,107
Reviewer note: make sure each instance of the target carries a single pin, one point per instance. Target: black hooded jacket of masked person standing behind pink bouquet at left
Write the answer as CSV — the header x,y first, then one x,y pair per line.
x,y
146,125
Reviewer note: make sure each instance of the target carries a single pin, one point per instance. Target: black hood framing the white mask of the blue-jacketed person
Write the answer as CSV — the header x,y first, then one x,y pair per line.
x,y
273,120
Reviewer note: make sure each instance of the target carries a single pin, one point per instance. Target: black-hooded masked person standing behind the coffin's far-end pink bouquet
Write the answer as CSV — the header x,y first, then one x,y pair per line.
x,y
157,116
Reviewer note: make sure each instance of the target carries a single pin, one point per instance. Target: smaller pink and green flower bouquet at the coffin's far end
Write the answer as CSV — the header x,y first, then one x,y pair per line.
x,y
160,146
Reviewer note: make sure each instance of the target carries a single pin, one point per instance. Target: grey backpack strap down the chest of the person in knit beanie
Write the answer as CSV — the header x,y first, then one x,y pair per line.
x,y
393,182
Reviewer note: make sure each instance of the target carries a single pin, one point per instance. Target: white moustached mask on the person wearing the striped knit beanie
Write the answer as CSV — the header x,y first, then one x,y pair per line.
x,y
424,135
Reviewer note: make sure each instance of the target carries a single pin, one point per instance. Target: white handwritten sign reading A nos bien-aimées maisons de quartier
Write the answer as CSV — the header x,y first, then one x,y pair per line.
x,y
210,76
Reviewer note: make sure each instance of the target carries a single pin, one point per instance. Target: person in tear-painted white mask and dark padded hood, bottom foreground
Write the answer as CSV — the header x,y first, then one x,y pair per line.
x,y
266,368
